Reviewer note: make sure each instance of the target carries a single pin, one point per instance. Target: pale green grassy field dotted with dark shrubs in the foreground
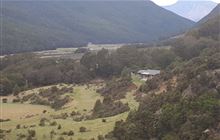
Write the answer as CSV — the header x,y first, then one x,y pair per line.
x,y
84,98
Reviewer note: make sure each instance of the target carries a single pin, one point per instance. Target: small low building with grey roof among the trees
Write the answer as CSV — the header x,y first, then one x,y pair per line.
x,y
147,74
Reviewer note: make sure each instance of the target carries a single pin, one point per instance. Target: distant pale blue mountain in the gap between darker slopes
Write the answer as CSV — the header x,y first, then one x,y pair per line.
x,y
193,10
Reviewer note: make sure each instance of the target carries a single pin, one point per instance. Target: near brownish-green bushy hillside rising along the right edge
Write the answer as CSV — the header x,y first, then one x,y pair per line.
x,y
188,106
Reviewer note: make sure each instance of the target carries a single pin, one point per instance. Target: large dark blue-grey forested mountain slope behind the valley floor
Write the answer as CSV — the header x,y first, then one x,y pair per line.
x,y
39,25
